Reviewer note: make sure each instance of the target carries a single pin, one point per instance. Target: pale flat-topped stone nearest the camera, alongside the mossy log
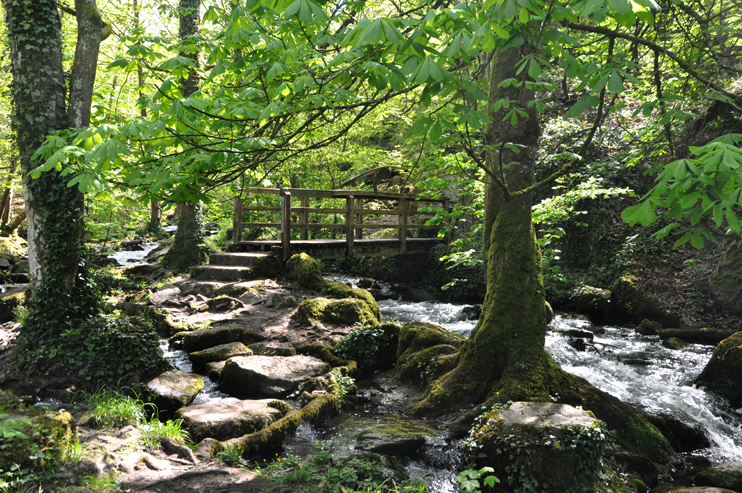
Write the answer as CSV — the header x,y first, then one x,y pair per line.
x,y
227,418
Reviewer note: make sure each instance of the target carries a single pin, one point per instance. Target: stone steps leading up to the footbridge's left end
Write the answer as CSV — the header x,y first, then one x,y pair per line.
x,y
235,267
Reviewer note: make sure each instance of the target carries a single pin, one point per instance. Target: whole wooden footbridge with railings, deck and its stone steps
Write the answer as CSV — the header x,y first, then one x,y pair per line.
x,y
310,221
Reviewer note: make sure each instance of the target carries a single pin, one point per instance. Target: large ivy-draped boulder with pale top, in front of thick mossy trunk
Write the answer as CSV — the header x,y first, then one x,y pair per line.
x,y
557,446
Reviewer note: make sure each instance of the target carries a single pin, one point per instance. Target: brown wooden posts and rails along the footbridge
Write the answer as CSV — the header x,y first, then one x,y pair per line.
x,y
353,212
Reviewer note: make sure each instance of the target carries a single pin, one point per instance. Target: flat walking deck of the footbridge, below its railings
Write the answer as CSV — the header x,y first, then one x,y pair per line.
x,y
332,249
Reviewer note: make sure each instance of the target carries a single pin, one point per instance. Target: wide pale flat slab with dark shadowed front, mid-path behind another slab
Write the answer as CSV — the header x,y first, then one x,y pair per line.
x,y
269,376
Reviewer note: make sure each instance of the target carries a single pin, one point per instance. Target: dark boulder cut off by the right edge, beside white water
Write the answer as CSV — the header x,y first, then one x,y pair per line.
x,y
723,373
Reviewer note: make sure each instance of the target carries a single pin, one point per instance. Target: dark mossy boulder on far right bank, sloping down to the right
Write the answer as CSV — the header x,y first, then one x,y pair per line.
x,y
631,304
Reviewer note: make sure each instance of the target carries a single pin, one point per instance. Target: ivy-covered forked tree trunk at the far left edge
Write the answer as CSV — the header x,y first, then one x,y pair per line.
x,y
54,210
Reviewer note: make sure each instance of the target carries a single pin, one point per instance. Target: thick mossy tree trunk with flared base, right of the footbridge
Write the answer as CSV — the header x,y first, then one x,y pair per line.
x,y
505,353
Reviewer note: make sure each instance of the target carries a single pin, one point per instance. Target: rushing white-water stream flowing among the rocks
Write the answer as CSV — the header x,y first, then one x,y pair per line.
x,y
634,368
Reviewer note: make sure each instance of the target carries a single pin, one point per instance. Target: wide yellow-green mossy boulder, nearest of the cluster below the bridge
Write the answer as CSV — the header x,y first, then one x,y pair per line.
x,y
350,311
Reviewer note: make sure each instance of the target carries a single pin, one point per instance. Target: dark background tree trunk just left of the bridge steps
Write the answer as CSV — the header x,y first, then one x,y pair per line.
x,y
187,247
